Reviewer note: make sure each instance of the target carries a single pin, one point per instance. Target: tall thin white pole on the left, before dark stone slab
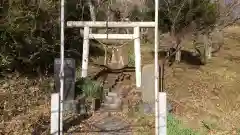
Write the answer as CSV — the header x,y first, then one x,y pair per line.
x,y
62,67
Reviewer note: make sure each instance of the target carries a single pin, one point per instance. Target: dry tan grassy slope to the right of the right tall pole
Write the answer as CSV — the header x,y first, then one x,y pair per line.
x,y
208,97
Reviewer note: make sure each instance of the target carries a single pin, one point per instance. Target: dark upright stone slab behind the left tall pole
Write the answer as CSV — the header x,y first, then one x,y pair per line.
x,y
69,83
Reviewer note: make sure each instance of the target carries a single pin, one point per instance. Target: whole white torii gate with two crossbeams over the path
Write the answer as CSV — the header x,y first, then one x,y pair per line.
x,y
87,25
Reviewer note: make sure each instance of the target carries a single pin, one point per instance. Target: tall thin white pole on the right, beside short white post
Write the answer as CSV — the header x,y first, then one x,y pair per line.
x,y
156,71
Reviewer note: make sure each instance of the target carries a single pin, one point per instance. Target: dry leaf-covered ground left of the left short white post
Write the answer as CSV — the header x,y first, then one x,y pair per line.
x,y
25,105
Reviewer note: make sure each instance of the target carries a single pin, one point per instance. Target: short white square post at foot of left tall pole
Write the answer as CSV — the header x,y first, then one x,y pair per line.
x,y
55,109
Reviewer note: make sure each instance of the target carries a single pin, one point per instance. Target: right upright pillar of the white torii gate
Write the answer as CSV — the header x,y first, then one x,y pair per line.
x,y
137,52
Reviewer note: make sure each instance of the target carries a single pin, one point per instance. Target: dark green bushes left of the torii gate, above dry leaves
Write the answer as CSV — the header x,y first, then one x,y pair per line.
x,y
30,35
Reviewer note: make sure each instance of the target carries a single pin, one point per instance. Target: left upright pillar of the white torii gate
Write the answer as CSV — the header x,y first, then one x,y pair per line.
x,y
85,52
